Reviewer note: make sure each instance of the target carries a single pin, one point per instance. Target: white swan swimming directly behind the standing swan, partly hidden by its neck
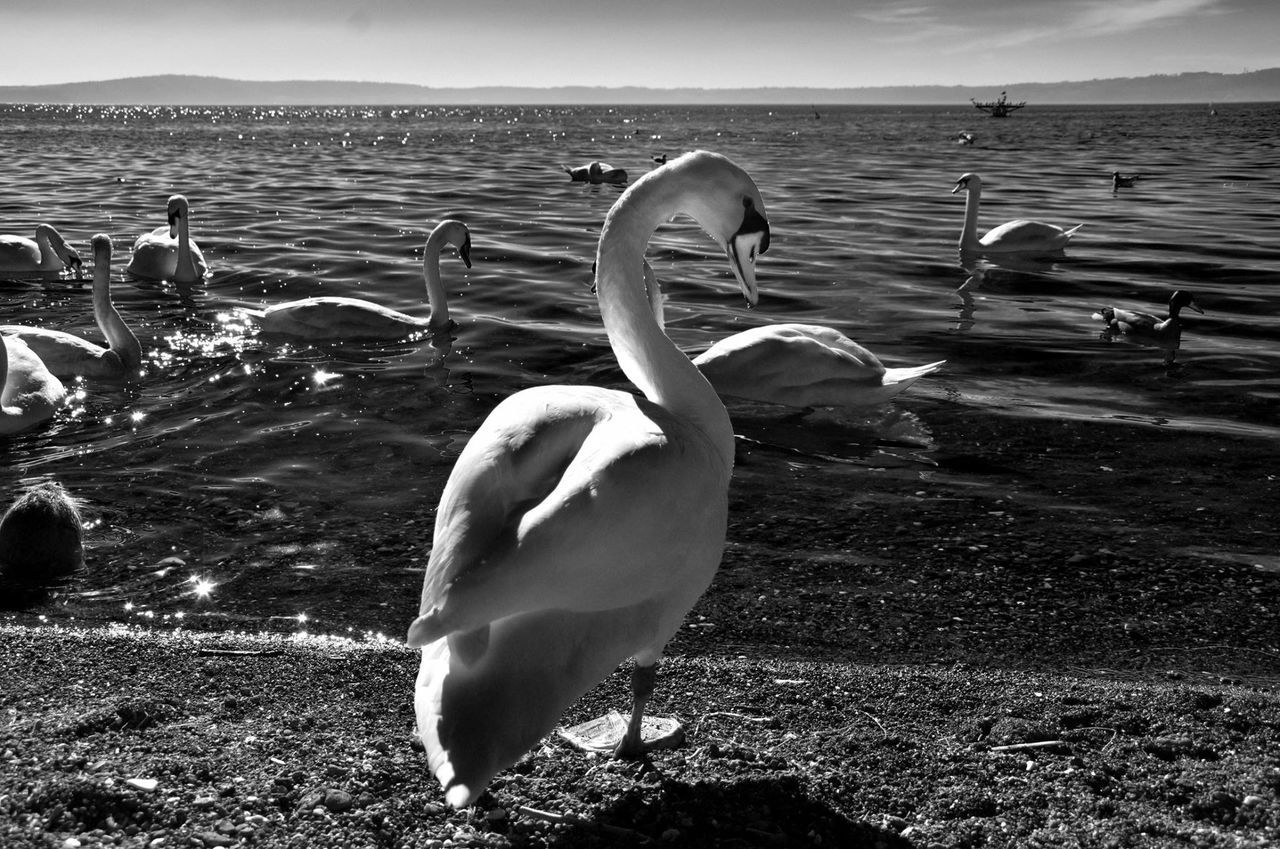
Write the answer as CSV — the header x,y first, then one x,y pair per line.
x,y
796,366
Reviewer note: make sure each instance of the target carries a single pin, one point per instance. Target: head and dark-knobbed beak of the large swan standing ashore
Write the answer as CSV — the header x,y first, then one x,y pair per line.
x,y
730,209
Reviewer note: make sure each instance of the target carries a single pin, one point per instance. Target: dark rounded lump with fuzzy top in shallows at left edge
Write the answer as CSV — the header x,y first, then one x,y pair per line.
x,y
42,537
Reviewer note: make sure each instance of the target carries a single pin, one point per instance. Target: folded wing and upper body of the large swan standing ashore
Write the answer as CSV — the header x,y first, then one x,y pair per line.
x,y
551,506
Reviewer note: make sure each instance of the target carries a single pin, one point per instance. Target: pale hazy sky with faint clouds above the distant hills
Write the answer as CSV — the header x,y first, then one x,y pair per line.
x,y
714,44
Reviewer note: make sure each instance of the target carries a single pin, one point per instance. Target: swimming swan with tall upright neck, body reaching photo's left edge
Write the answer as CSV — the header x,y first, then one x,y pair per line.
x,y
68,355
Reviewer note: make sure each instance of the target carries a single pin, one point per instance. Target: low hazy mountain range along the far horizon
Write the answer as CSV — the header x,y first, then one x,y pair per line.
x,y
202,92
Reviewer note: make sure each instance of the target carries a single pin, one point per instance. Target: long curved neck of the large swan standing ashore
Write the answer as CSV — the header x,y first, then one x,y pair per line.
x,y
650,359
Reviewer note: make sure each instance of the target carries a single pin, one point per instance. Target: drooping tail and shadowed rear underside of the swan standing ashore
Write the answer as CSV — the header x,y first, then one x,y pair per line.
x,y
476,719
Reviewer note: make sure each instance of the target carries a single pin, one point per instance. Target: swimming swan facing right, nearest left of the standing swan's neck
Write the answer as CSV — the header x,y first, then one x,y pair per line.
x,y
345,318
